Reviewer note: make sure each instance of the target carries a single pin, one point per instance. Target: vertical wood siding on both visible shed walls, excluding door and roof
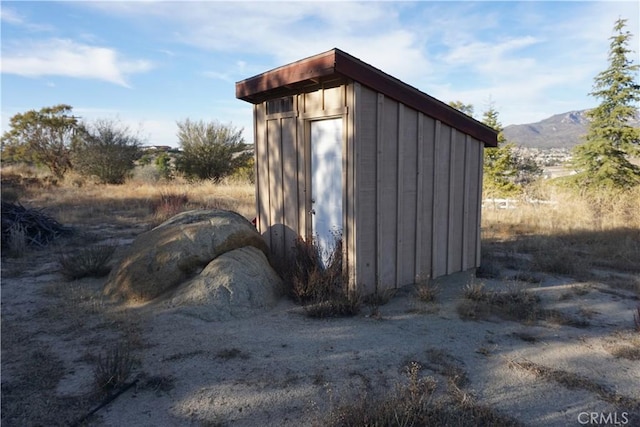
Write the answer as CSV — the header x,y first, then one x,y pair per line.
x,y
412,186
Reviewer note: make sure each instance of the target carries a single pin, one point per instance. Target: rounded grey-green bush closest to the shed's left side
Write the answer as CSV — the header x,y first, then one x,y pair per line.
x,y
210,150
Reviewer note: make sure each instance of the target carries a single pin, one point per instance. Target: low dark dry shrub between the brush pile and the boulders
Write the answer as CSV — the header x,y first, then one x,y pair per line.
x,y
89,262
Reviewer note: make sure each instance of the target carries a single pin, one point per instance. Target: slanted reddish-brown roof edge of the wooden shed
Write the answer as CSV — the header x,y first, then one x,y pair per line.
x,y
335,66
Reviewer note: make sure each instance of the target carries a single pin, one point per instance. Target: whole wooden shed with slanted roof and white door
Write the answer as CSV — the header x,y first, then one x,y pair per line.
x,y
342,147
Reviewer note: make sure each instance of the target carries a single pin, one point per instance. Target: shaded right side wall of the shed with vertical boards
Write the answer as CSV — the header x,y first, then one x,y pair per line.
x,y
418,184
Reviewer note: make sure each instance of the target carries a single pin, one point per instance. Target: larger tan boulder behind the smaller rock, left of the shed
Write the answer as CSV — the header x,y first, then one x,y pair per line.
x,y
177,250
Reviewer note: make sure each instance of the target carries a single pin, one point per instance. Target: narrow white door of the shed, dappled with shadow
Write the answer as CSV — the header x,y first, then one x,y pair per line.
x,y
326,182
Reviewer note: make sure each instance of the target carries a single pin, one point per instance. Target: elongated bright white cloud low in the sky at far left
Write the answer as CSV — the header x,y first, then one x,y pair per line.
x,y
64,57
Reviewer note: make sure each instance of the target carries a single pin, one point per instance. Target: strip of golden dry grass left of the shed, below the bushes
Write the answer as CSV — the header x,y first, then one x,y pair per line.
x,y
91,204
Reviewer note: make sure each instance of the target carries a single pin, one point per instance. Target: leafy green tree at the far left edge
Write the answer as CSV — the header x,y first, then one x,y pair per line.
x,y
42,137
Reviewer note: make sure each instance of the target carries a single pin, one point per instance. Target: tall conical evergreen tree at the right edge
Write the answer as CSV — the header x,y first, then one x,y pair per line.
x,y
602,161
